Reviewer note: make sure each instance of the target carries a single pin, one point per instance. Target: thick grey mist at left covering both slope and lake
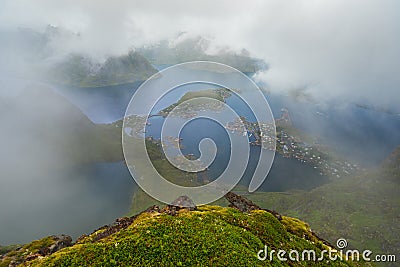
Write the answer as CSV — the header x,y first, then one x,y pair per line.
x,y
43,190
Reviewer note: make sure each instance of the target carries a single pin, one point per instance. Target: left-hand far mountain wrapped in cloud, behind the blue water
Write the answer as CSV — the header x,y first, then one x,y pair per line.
x,y
51,56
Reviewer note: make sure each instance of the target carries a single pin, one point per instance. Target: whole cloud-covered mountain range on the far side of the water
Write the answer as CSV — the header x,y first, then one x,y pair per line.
x,y
56,56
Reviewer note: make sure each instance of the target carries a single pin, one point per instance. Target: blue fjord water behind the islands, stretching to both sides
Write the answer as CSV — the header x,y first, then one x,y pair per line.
x,y
365,136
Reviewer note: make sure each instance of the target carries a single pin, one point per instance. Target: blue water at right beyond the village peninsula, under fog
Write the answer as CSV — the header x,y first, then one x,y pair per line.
x,y
362,135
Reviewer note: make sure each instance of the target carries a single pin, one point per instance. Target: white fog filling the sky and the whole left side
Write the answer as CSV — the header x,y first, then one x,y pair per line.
x,y
337,51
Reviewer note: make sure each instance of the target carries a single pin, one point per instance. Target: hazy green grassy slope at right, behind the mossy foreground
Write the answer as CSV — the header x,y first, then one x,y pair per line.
x,y
364,209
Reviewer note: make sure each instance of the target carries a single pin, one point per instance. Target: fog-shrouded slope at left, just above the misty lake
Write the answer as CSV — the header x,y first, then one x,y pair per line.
x,y
41,122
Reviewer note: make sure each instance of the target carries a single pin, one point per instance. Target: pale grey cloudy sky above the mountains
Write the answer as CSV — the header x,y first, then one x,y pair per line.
x,y
340,47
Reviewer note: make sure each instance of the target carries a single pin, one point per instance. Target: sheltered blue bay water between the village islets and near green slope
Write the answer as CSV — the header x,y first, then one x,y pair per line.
x,y
286,174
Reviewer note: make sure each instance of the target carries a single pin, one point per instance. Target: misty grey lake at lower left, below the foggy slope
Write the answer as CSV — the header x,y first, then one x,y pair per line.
x,y
69,200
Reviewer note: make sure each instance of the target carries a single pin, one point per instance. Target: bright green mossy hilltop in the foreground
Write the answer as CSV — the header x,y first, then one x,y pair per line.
x,y
205,236
